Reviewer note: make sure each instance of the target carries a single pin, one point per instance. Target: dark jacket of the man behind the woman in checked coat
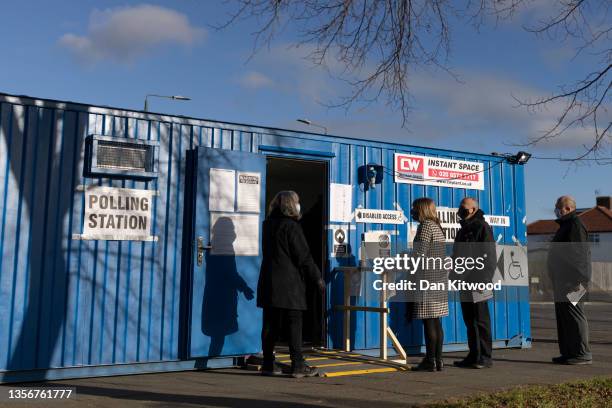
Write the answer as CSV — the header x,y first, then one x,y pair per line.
x,y
475,239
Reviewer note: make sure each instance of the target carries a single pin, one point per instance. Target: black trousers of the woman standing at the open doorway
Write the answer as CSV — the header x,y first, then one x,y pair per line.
x,y
274,320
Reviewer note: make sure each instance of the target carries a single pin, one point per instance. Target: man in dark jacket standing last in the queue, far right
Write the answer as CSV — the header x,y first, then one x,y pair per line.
x,y
569,268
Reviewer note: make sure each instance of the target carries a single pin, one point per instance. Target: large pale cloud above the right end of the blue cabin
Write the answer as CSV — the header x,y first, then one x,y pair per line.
x,y
485,104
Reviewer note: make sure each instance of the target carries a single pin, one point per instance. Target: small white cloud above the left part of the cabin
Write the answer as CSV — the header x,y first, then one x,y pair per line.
x,y
128,33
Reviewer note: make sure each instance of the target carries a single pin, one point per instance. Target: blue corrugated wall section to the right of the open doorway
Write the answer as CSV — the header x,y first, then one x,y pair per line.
x,y
504,194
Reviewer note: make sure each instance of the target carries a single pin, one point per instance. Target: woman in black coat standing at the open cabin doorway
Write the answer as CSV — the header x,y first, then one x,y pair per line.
x,y
286,268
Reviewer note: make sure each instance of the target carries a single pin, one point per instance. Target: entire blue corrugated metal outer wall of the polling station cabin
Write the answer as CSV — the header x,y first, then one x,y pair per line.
x,y
67,302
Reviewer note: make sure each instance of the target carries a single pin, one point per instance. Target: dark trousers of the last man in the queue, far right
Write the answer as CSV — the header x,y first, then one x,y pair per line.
x,y
572,330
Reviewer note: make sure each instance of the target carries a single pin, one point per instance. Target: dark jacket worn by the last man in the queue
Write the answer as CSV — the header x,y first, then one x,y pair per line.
x,y
569,255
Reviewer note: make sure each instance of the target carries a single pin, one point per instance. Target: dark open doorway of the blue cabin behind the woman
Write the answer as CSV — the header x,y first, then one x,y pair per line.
x,y
309,179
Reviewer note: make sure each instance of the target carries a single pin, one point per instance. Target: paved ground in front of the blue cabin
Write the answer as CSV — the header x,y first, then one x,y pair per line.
x,y
242,388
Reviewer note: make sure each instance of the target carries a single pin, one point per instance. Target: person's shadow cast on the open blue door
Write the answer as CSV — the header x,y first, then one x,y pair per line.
x,y
223,283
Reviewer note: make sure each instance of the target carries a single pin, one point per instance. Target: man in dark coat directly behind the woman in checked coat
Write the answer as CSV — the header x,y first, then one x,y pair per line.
x,y
474,240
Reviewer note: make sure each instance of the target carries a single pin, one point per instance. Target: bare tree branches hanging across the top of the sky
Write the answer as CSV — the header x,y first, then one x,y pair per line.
x,y
379,44
